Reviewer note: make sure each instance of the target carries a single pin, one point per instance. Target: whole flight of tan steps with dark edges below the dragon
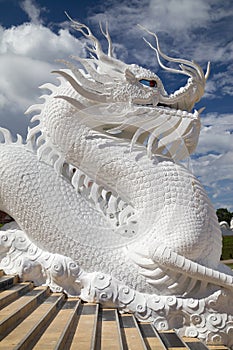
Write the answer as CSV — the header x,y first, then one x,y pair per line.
x,y
35,318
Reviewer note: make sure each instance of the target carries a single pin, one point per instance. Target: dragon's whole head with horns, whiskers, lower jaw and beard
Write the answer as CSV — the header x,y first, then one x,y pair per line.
x,y
145,107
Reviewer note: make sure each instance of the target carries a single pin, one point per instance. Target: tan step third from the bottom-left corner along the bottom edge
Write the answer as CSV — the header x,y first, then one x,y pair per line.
x,y
85,333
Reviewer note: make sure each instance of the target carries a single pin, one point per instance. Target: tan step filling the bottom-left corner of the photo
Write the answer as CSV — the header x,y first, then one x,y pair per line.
x,y
24,336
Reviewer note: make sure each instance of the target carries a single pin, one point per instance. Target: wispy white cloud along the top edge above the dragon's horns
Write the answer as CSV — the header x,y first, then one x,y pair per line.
x,y
170,16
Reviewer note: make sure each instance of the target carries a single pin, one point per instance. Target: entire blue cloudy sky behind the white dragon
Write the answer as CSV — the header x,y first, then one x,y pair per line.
x,y
34,33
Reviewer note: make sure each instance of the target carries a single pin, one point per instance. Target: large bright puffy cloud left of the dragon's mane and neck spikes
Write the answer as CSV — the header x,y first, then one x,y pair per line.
x,y
28,54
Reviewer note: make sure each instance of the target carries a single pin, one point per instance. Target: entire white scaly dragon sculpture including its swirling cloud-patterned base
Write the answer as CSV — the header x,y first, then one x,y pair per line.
x,y
103,206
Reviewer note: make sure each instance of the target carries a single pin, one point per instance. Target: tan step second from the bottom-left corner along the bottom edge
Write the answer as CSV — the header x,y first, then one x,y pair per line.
x,y
52,336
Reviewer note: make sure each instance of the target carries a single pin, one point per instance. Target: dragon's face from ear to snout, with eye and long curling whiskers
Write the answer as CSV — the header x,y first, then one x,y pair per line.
x,y
155,94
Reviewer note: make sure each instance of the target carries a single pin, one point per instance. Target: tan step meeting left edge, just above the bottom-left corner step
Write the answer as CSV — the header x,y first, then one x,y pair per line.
x,y
14,313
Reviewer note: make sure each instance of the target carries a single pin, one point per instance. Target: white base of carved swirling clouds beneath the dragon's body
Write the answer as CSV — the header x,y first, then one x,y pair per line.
x,y
210,318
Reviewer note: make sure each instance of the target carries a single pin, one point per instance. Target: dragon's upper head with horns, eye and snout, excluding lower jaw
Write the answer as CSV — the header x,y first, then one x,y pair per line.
x,y
118,81
